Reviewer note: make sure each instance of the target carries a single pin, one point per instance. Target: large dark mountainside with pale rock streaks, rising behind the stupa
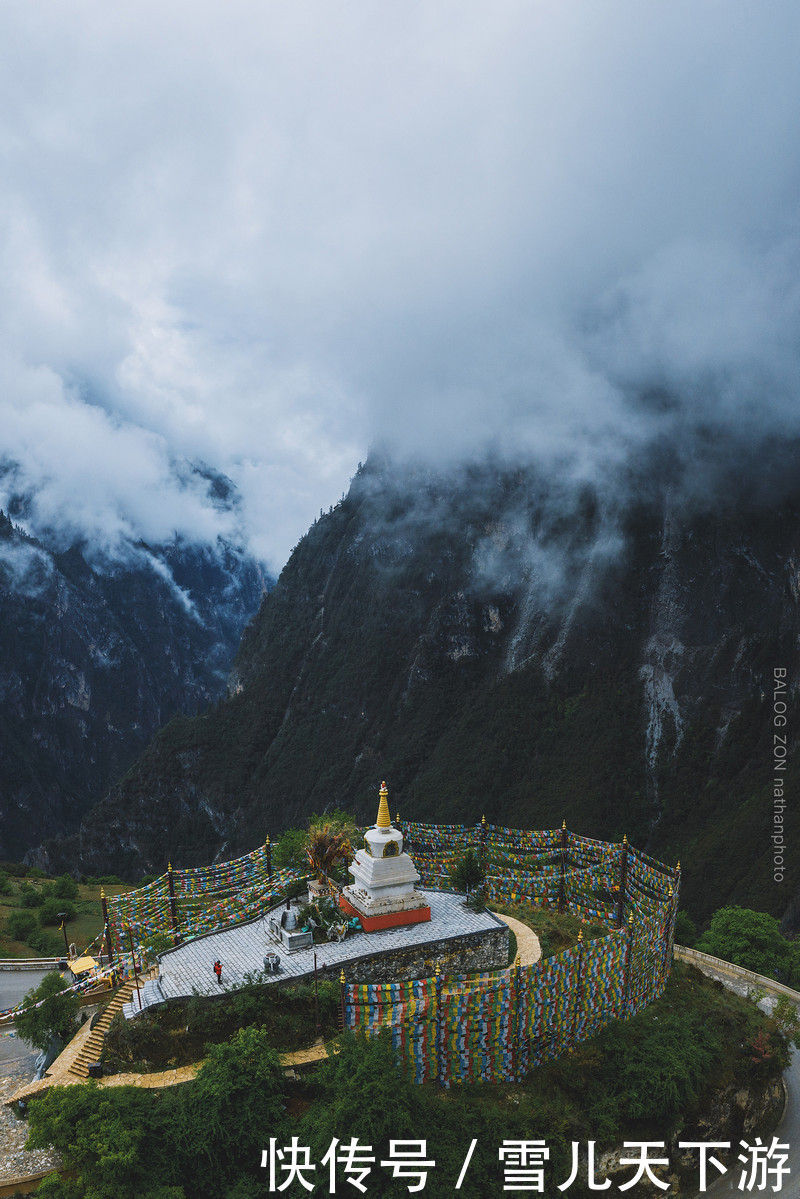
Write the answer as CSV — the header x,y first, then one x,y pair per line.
x,y
492,649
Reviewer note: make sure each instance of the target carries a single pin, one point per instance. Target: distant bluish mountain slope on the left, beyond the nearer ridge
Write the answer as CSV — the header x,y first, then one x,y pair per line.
x,y
94,661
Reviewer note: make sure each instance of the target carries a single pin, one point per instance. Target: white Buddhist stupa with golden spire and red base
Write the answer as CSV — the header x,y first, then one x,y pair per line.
x,y
383,895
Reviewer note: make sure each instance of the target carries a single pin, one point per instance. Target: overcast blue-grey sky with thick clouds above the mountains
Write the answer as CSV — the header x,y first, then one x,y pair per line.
x,y
267,236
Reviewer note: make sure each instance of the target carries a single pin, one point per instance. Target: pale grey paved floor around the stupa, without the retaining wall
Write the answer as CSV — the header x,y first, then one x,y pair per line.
x,y
189,969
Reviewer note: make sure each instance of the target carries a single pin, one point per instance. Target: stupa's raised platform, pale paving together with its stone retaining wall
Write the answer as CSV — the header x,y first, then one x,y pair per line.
x,y
458,939
